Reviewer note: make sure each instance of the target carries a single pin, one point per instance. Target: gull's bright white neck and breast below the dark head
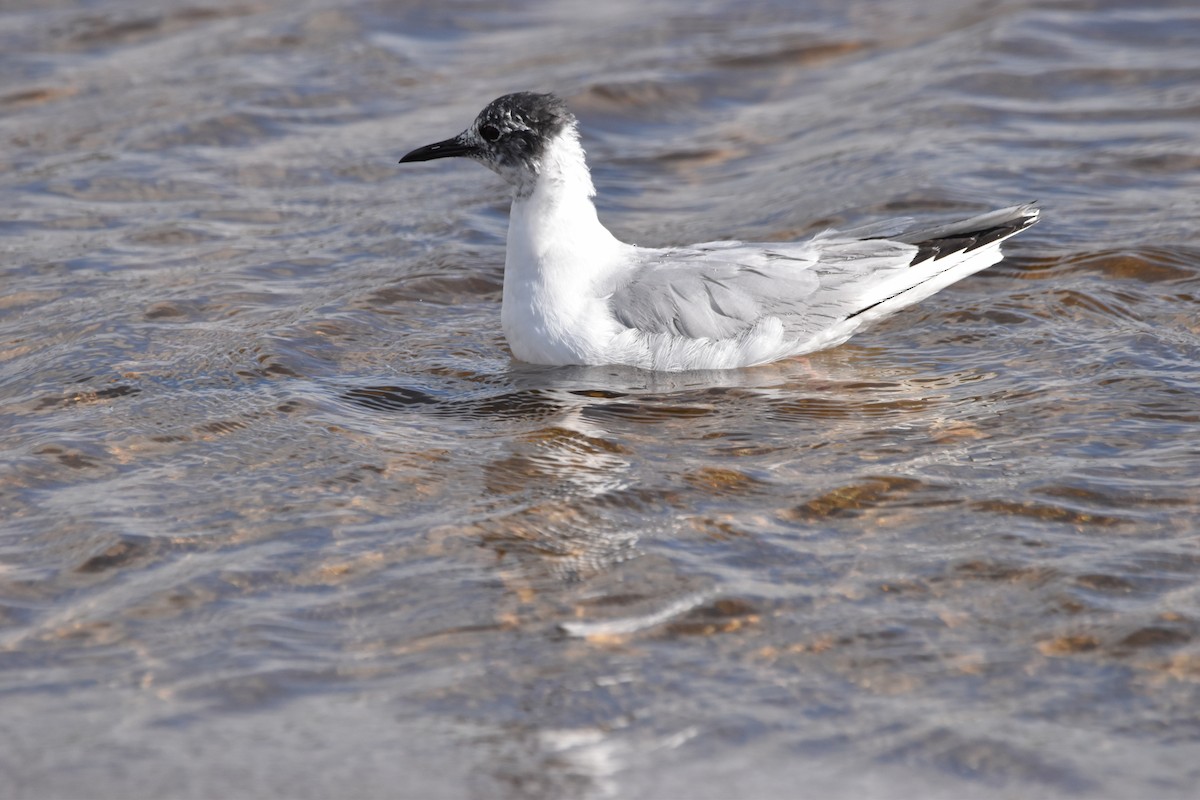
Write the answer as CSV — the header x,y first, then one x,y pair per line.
x,y
559,258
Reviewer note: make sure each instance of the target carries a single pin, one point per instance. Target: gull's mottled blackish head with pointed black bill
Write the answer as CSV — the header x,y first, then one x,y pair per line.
x,y
508,137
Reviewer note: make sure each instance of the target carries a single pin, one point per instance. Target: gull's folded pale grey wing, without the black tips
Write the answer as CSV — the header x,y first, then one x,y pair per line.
x,y
722,290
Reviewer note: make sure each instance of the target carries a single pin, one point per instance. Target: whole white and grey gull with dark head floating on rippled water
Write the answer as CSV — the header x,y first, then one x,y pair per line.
x,y
574,294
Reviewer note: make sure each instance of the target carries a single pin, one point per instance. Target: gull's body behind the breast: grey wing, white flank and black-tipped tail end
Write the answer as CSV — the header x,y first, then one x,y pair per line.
x,y
733,304
